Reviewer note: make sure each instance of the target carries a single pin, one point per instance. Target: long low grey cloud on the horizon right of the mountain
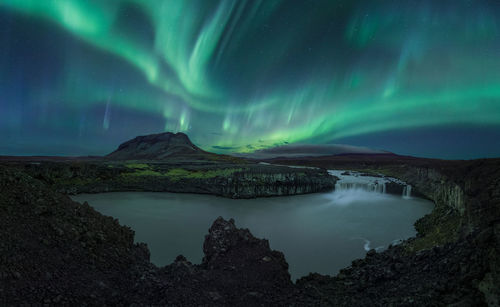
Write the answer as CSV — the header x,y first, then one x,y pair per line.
x,y
306,150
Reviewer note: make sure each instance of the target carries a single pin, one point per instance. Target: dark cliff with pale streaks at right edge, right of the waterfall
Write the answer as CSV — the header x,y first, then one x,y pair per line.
x,y
466,194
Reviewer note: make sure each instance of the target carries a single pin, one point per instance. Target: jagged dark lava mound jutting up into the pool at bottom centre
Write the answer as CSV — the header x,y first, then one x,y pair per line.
x,y
238,269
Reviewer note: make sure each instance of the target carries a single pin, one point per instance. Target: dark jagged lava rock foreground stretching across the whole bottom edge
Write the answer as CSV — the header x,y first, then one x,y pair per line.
x,y
56,251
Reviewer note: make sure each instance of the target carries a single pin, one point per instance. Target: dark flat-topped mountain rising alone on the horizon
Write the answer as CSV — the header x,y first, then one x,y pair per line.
x,y
156,147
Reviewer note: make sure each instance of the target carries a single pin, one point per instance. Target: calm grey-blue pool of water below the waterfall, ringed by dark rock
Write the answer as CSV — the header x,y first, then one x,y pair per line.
x,y
320,232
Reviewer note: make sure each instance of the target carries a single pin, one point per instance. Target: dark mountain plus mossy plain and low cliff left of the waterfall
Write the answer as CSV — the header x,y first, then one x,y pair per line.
x,y
170,162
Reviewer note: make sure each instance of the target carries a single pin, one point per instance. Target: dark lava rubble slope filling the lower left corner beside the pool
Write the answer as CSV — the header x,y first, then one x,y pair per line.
x,y
56,251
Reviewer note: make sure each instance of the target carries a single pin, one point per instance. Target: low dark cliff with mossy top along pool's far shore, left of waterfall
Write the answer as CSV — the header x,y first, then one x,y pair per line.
x,y
228,180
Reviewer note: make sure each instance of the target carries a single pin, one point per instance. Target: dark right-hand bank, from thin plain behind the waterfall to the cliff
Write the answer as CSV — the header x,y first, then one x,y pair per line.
x,y
466,193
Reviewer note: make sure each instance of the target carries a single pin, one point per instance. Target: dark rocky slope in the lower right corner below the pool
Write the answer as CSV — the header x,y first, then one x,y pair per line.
x,y
450,275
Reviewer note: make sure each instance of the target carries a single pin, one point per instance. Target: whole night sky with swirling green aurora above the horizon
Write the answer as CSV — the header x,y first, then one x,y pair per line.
x,y
414,77
